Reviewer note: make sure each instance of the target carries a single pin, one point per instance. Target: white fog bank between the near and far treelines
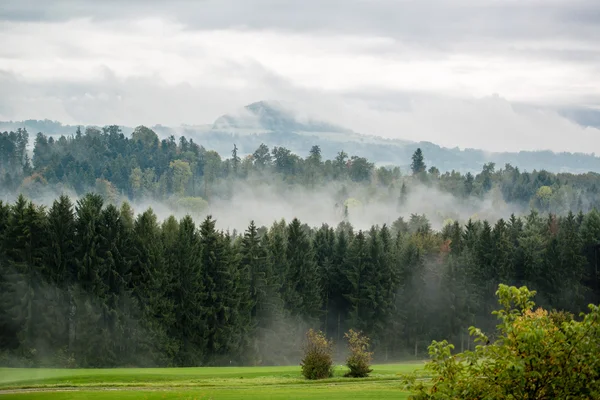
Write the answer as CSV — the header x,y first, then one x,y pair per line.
x,y
369,206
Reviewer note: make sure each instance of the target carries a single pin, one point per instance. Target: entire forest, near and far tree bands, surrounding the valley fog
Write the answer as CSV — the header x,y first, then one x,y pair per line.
x,y
89,282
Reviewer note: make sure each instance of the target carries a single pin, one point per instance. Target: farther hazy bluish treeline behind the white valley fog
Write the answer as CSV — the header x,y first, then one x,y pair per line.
x,y
142,166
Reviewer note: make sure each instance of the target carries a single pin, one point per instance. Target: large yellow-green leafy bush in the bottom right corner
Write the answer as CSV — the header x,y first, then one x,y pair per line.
x,y
538,355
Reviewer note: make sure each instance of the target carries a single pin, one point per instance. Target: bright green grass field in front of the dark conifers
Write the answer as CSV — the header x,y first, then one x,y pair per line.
x,y
199,383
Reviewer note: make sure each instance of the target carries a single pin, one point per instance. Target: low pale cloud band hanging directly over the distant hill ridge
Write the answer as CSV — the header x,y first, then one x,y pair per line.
x,y
489,123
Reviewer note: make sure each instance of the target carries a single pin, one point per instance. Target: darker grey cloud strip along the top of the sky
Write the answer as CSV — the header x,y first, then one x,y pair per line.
x,y
417,20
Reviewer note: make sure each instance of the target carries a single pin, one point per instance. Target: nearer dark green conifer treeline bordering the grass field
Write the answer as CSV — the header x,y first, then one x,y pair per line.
x,y
93,285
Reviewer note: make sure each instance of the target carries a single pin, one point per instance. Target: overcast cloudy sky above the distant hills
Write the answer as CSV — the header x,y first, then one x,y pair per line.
x,y
491,74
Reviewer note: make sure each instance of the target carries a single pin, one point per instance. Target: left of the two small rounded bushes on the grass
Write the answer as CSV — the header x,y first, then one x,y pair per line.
x,y
318,356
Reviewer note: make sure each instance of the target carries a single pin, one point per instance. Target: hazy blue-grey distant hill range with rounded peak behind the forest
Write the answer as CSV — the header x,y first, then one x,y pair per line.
x,y
272,124
